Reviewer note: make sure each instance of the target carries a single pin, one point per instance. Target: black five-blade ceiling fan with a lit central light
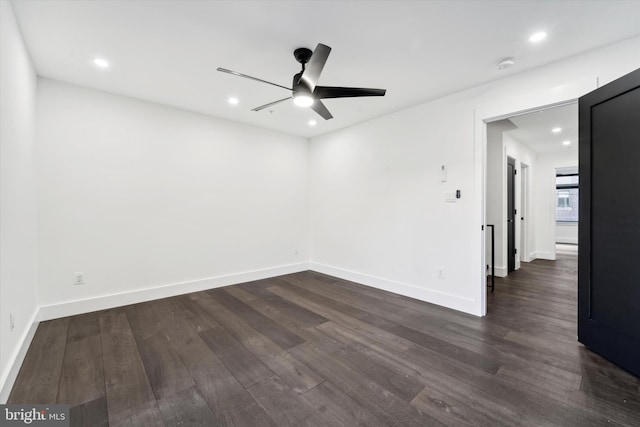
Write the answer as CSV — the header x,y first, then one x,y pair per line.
x,y
305,90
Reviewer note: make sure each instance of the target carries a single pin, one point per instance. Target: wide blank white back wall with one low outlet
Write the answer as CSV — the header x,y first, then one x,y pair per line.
x,y
139,196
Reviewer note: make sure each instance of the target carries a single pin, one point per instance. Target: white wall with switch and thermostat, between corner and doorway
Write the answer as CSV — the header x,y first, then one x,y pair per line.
x,y
378,206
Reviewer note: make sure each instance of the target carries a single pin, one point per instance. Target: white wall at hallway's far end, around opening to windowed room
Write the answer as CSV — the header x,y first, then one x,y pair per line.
x,y
545,198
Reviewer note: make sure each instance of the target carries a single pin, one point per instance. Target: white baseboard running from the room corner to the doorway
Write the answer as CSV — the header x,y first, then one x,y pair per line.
x,y
427,295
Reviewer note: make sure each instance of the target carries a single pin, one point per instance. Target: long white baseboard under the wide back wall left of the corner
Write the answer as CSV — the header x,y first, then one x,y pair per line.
x,y
103,302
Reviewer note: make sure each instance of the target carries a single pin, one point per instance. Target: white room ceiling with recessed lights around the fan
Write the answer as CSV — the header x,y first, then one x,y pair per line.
x,y
168,51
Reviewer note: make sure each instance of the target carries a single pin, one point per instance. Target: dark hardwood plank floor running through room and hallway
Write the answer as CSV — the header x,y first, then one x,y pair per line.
x,y
308,349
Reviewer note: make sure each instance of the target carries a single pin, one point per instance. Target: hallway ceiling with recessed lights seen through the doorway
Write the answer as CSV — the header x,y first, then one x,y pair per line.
x,y
534,129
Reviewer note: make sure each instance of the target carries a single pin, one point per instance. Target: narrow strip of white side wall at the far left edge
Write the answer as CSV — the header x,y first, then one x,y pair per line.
x,y
18,272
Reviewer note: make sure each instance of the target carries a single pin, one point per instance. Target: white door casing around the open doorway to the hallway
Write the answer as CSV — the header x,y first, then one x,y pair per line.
x,y
499,109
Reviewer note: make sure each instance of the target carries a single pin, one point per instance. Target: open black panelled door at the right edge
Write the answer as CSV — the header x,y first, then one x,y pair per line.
x,y
609,252
